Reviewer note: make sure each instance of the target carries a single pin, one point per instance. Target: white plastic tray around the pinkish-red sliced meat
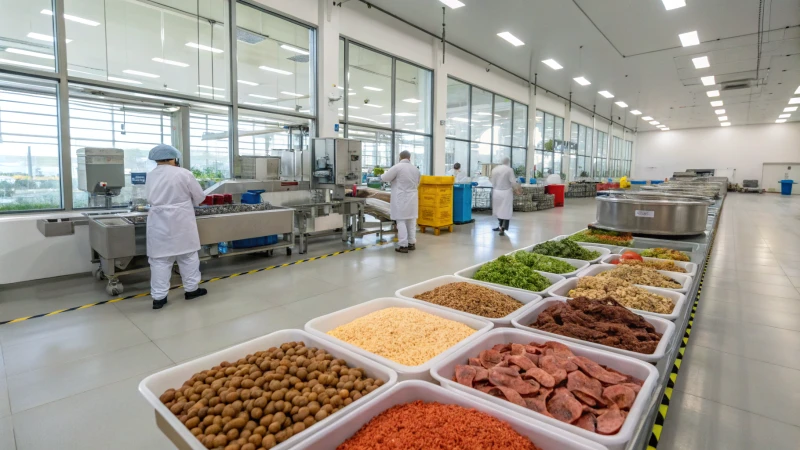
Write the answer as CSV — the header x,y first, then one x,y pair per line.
x,y
445,371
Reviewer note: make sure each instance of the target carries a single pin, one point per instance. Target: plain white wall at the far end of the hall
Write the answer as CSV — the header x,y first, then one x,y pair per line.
x,y
744,148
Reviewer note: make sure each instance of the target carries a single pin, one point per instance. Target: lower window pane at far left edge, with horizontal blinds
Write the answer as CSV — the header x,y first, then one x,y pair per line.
x,y
29,163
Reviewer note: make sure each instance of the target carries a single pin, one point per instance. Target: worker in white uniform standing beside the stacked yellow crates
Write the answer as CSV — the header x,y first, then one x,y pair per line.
x,y
405,198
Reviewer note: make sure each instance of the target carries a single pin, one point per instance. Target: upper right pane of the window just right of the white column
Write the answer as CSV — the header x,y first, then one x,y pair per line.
x,y
413,98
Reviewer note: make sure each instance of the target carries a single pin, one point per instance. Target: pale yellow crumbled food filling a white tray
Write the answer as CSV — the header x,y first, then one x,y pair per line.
x,y
404,335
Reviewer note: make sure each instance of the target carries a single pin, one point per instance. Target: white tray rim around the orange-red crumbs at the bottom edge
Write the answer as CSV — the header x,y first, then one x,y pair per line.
x,y
541,434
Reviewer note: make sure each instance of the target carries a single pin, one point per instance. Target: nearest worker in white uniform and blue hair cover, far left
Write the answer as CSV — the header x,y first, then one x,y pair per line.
x,y
172,193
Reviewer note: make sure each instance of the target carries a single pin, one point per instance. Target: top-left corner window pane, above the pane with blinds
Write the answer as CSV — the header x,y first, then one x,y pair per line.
x,y
27,34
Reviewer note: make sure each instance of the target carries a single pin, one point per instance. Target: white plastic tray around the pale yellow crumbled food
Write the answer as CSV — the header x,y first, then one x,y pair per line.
x,y
321,325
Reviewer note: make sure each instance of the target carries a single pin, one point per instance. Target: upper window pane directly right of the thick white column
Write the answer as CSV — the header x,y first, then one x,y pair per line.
x,y
370,88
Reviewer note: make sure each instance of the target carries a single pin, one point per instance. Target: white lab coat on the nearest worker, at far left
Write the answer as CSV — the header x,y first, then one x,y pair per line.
x,y
172,193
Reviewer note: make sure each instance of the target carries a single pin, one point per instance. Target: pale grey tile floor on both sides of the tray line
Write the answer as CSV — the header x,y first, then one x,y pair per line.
x,y
75,374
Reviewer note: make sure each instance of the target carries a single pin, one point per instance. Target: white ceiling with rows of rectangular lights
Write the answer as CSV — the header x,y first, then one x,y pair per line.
x,y
631,48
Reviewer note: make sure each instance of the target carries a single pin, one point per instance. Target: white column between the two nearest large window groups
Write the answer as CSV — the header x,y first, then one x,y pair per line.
x,y
328,69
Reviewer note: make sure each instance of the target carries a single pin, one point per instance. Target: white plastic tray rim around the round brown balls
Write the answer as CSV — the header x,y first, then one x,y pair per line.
x,y
153,386
